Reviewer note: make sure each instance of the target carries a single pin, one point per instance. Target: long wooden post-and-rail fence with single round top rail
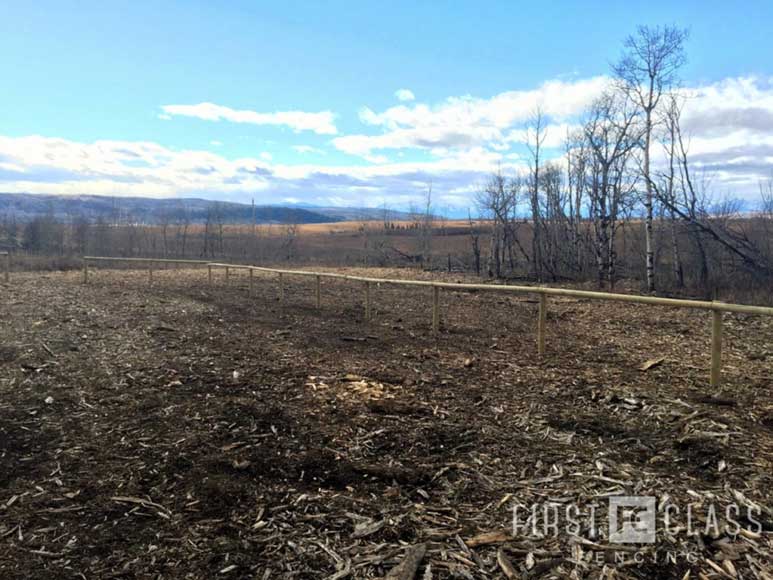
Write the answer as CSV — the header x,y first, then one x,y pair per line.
x,y
717,309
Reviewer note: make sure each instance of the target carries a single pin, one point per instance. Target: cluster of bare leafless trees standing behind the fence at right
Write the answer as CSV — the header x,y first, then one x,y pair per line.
x,y
564,220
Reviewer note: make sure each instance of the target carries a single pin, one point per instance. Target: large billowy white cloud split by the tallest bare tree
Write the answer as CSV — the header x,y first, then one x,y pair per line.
x,y
729,125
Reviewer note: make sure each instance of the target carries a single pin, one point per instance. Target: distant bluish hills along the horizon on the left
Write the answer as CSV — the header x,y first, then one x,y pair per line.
x,y
26,206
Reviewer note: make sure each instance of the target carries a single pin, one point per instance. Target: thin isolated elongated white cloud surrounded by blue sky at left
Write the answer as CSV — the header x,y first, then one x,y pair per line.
x,y
322,123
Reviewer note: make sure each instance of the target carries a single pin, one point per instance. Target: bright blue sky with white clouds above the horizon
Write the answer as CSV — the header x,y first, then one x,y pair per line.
x,y
297,100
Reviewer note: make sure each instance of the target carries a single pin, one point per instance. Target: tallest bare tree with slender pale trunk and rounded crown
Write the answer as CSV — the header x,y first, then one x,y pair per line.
x,y
649,68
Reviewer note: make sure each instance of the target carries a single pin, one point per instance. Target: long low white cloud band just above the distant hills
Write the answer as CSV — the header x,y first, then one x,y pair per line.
x,y
37,164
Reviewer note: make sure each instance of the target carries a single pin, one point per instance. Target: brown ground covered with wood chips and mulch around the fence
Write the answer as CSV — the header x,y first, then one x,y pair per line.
x,y
192,431
